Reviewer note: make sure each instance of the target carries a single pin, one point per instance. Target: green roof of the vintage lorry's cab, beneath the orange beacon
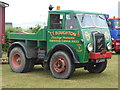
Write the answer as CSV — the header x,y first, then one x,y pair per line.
x,y
73,11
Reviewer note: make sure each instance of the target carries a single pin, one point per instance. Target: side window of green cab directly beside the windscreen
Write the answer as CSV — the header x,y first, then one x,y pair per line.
x,y
71,22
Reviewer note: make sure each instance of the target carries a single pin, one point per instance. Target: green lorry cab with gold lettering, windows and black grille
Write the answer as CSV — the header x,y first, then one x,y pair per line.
x,y
80,30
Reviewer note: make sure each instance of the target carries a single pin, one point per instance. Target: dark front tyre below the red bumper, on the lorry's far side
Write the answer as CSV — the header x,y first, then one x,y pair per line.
x,y
97,67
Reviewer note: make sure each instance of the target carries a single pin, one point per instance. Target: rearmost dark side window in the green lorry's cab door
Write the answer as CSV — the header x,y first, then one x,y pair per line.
x,y
56,21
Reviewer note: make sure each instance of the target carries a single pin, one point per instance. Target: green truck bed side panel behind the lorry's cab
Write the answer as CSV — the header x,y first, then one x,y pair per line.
x,y
40,35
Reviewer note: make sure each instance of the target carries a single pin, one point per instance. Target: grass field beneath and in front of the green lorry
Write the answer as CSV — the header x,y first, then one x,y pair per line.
x,y
39,78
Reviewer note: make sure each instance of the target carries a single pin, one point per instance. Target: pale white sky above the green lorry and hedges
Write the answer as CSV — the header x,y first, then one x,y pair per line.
x,y
30,11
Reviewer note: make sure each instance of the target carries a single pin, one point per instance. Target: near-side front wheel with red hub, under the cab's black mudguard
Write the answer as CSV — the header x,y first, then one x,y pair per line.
x,y
61,65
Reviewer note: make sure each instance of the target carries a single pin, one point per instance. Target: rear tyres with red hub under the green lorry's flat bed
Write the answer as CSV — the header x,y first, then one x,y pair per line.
x,y
18,62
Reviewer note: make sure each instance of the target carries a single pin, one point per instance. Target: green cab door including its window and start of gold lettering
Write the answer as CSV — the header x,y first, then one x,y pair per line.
x,y
55,25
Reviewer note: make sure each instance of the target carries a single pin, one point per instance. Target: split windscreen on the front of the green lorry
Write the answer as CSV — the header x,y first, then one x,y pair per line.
x,y
88,20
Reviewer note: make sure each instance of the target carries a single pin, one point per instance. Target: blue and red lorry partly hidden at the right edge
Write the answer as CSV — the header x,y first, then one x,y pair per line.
x,y
114,26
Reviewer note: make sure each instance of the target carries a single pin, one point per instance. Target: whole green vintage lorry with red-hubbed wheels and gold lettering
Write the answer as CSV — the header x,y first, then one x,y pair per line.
x,y
72,39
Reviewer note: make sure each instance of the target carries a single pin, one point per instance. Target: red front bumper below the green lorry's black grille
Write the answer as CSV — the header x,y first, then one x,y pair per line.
x,y
103,54
